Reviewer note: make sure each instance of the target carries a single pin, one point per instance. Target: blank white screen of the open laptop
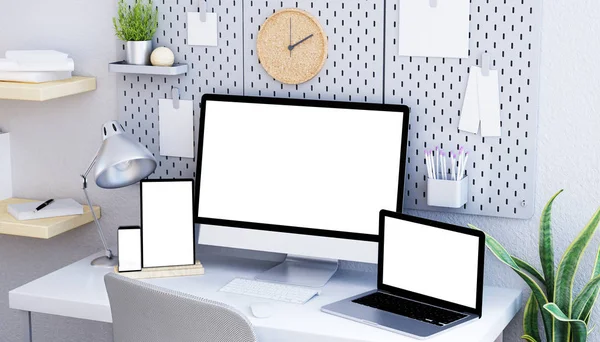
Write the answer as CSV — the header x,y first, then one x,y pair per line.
x,y
431,261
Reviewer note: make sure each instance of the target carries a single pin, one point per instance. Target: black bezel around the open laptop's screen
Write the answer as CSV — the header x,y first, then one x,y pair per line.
x,y
477,310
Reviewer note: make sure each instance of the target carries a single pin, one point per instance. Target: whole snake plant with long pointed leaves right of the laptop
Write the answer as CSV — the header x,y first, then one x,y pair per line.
x,y
564,319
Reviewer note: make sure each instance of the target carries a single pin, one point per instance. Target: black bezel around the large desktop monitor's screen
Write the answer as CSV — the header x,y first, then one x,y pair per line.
x,y
306,103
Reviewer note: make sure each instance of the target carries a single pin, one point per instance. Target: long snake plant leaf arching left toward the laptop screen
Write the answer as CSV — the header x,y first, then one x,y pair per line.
x,y
500,252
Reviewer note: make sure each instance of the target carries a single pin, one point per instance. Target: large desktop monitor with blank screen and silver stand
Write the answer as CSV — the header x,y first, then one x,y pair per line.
x,y
301,177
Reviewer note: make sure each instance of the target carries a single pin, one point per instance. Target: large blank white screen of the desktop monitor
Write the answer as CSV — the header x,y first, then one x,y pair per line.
x,y
309,167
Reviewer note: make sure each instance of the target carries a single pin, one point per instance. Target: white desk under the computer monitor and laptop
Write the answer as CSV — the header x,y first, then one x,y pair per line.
x,y
78,291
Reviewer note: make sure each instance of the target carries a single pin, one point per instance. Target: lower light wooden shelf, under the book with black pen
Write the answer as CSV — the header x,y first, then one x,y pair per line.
x,y
43,228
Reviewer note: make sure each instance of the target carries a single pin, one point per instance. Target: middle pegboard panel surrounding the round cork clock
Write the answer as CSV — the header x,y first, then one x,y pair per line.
x,y
354,67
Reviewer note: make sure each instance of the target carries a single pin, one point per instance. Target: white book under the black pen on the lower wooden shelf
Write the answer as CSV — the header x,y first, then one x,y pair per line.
x,y
60,207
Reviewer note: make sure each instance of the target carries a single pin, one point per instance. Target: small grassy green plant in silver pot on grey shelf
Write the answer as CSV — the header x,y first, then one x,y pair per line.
x,y
136,25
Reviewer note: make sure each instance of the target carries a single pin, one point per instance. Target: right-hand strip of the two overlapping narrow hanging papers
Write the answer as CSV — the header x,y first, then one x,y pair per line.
x,y
489,104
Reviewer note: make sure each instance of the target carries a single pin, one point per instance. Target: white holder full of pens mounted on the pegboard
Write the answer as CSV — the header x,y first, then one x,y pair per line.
x,y
449,190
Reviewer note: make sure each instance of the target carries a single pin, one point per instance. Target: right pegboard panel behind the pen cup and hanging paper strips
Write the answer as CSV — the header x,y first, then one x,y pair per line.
x,y
501,170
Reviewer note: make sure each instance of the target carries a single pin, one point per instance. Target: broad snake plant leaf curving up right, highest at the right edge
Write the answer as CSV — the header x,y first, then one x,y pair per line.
x,y
567,268
